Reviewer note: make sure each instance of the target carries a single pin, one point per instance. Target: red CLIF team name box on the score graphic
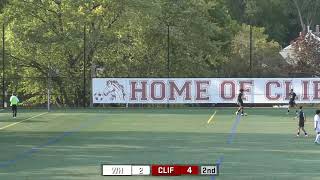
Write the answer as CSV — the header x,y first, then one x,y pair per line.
x,y
165,170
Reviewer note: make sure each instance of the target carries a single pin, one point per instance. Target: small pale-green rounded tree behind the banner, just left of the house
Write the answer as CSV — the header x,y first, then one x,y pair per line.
x,y
266,59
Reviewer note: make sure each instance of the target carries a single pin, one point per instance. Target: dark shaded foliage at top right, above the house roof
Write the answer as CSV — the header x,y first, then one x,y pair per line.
x,y
280,18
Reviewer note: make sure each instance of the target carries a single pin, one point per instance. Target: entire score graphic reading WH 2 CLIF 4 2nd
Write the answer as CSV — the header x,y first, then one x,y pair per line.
x,y
159,170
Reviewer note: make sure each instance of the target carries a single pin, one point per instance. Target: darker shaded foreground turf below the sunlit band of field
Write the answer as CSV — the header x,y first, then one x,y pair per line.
x,y
80,154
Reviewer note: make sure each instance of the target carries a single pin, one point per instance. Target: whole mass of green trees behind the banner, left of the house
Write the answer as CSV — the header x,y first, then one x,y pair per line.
x,y
124,38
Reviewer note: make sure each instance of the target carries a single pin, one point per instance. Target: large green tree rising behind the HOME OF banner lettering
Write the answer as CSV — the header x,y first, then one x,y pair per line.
x,y
200,33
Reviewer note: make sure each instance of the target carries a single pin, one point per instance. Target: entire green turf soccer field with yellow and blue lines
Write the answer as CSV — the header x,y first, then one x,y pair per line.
x,y
72,144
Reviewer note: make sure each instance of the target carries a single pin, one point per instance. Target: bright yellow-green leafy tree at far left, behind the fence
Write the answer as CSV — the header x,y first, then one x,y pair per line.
x,y
45,39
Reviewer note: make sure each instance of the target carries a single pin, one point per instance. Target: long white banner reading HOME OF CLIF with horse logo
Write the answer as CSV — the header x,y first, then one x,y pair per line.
x,y
203,90
